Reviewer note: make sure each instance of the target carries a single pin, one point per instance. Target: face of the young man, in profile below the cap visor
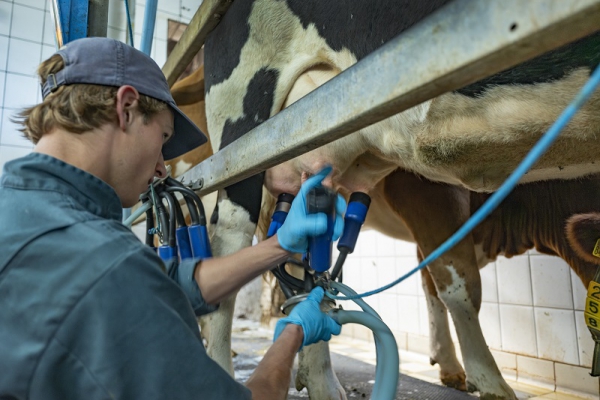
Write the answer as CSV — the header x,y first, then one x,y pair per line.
x,y
144,159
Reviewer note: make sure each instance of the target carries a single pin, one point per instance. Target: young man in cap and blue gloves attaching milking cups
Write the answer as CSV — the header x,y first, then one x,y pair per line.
x,y
87,311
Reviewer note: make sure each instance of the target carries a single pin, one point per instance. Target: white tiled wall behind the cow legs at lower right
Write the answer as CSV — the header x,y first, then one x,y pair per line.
x,y
531,314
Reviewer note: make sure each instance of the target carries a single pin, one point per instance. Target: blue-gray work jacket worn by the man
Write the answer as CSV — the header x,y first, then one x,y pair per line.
x,y
86,310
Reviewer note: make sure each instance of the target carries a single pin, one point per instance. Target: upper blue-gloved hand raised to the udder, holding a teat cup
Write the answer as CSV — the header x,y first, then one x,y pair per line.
x,y
299,225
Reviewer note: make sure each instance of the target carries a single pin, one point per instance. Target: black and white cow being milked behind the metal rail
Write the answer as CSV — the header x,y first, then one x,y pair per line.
x,y
266,54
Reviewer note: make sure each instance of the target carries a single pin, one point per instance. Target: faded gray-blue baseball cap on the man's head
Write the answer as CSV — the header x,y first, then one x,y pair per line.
x,y
109,62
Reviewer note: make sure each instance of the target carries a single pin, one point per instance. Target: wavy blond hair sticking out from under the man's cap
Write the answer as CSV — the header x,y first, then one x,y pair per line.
x,y
76,108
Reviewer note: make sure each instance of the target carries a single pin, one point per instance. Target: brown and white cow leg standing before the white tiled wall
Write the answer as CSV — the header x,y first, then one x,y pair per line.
x,y
433,212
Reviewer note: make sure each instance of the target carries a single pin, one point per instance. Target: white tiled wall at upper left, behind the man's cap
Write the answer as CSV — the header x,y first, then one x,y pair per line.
x,y
27,38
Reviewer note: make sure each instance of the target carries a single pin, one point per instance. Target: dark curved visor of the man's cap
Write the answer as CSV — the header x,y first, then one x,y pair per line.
x,y
186,138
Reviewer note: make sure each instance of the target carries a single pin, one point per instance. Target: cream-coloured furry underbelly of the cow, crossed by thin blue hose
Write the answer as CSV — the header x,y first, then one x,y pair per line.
x,y
479,141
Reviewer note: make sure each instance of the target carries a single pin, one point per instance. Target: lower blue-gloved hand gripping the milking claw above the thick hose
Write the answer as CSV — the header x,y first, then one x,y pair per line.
x,y
316,324
